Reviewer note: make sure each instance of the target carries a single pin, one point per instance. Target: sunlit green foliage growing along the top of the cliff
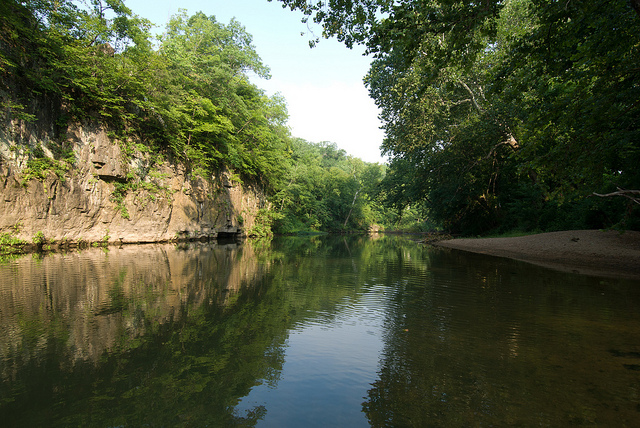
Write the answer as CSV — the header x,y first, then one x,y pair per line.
x,y
189,98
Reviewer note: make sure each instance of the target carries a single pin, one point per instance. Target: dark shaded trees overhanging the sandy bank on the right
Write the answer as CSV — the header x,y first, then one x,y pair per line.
x,y
502,114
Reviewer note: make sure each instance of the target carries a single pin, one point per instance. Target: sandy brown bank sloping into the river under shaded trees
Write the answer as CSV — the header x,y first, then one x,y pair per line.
x,y
589,252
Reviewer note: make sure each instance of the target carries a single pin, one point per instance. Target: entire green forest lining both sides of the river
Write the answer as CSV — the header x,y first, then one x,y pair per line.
x,y
499,115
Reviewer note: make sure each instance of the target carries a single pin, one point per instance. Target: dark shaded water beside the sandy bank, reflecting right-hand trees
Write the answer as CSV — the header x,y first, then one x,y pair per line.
x,y
481,341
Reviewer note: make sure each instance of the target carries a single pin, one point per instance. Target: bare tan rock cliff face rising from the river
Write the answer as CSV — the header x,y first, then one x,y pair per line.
x,y
111,194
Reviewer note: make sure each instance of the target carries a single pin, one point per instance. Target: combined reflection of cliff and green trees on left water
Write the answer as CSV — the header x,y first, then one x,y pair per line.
x,y
135,336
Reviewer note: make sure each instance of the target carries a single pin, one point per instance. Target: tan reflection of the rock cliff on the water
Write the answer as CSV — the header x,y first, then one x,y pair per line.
x,y
96,300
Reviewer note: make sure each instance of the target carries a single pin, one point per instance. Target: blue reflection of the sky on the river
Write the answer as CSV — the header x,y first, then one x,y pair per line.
x,y
330,361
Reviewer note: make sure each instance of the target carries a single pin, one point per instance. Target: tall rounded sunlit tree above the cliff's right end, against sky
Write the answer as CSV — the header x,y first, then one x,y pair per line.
x,y
211,114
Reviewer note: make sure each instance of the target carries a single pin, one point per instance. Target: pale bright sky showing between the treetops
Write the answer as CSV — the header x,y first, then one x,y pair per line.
x,y
326,98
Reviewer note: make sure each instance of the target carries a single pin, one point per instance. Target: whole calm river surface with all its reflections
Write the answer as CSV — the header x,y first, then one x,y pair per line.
x,y
324,331
